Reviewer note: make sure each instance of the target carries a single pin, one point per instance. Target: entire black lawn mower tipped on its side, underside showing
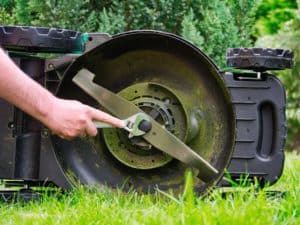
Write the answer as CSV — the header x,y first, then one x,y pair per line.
x,y
223,120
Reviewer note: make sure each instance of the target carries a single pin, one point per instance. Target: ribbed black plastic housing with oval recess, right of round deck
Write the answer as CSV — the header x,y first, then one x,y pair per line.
x,y
261,128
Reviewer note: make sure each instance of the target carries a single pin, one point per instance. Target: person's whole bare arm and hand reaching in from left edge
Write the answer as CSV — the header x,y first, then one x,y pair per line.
x,y
66,118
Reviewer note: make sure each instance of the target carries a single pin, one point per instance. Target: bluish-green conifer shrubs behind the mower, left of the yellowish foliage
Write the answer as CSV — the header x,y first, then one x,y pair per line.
x,y
212,25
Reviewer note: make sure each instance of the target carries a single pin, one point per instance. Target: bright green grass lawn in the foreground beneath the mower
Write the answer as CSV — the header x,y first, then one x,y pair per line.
x,y
83,206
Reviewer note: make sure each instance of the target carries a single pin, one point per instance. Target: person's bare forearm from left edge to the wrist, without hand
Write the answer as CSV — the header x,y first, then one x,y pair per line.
x,y
20,90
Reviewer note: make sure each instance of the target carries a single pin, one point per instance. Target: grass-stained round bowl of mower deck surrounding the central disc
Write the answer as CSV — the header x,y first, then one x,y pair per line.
x,y
147,56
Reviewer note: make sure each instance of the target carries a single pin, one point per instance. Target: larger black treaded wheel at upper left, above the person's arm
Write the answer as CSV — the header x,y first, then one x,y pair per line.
x,y
40,39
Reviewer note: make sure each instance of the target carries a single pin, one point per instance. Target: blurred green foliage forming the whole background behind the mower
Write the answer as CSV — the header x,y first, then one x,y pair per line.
x,y
212,25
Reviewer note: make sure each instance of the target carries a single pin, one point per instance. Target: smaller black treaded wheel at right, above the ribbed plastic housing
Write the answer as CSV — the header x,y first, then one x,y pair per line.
x,y
259,59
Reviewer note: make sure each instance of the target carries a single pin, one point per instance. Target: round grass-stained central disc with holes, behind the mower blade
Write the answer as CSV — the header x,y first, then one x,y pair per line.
x,y
163,106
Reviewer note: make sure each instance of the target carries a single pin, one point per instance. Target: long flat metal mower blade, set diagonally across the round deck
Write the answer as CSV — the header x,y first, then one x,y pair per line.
x,y
158,136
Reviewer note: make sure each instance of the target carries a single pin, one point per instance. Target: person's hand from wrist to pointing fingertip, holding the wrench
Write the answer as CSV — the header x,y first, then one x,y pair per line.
x,y
70,118
